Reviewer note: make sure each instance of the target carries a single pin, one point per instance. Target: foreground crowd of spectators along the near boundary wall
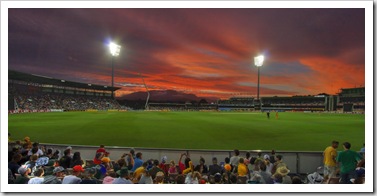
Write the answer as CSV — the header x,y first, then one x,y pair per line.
x,y
31,163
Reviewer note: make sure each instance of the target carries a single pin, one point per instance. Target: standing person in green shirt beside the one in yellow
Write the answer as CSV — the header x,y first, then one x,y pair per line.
x,y
348,160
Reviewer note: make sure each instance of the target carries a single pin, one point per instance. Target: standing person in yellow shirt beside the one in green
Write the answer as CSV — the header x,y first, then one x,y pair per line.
x,y
329,160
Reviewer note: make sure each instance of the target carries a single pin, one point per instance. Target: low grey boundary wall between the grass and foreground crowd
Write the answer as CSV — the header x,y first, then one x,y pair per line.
x,y
297,161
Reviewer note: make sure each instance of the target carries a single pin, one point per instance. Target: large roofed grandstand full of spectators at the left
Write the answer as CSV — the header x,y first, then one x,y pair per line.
x,y
35,93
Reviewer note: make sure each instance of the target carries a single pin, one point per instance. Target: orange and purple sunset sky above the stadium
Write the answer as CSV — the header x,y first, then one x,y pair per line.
x,y
207,51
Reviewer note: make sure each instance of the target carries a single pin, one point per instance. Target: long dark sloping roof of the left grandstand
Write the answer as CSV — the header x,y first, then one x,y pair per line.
x,y
15,75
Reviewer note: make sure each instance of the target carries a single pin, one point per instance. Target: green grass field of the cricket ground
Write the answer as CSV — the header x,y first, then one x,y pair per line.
x,y
192,130
